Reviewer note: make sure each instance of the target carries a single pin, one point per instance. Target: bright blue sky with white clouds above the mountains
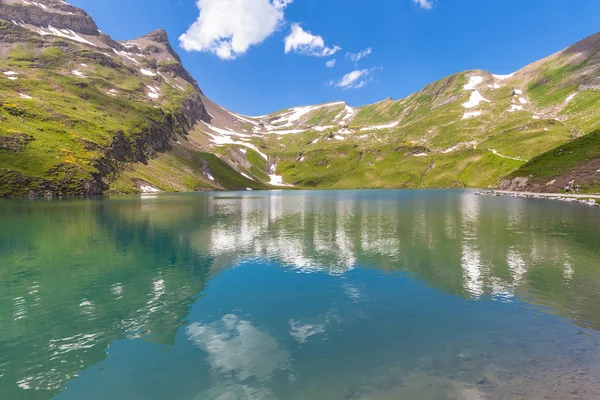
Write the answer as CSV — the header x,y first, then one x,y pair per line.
x,y
238,52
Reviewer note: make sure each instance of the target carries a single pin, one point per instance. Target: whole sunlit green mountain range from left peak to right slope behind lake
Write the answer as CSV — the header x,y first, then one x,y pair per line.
x,y
84,114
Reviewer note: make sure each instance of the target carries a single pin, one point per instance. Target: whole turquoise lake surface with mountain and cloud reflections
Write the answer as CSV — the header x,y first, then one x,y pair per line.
x,y
300,295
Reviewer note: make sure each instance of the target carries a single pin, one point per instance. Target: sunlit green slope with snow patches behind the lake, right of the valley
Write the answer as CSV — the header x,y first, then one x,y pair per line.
x,y
469,129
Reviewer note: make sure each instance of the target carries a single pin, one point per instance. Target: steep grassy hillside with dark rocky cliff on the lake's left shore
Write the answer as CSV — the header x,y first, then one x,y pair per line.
x,y
78,120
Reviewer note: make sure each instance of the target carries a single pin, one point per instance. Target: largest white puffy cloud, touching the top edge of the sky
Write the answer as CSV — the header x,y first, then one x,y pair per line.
x,y
228,28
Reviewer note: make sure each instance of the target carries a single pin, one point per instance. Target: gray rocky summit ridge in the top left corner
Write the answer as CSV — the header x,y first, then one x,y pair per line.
x,y
57,14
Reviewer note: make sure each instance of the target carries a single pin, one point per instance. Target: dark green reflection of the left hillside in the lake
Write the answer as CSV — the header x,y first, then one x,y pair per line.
x,y
76,279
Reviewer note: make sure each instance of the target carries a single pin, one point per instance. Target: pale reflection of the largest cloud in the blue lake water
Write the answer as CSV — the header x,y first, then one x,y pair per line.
x,y
237,353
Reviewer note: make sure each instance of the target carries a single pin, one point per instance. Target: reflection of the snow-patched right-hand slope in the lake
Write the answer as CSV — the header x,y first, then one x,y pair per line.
x,y
465,244
